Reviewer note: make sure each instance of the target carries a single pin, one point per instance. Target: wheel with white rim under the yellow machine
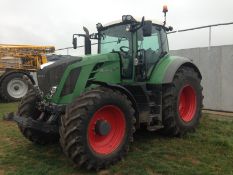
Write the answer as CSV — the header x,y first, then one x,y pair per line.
x,y
13,87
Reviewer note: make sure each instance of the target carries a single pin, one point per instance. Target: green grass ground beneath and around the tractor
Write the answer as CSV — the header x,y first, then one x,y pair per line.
x,y
208,151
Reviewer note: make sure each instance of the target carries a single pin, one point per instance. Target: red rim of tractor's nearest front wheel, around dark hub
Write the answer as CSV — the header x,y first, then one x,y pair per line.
x,y
106,144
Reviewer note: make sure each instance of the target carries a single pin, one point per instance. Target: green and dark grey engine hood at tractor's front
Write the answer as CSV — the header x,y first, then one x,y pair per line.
x,y
65,73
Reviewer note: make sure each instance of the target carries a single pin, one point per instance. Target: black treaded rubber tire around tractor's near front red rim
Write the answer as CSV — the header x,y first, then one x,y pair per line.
x,y
72,130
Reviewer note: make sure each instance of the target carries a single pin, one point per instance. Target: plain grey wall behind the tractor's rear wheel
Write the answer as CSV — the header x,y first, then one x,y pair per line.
x,y
216,66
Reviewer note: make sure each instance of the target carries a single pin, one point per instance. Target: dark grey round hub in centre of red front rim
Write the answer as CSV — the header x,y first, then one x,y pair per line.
x,y
102,127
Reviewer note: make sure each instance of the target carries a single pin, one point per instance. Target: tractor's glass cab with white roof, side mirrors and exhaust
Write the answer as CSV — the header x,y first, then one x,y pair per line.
x,y
140,44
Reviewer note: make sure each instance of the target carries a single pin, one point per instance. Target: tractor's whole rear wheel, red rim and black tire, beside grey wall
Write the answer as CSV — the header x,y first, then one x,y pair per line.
x,y
182,103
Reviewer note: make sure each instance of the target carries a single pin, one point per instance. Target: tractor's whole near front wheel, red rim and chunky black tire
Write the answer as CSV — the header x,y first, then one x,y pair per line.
x,y
97,128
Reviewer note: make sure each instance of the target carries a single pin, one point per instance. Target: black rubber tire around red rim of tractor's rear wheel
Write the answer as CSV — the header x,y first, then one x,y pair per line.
x,y
170,96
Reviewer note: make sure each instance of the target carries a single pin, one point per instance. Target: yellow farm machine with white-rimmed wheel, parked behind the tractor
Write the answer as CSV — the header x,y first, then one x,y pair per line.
x,y
16,61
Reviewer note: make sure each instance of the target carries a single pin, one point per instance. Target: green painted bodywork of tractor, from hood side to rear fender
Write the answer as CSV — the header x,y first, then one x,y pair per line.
x,y
109,72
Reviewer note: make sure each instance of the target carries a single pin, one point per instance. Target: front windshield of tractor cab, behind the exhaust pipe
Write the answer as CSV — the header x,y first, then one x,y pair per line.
x,y
114,39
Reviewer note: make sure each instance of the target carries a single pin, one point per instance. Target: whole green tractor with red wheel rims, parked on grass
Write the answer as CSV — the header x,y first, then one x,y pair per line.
x,y
94,103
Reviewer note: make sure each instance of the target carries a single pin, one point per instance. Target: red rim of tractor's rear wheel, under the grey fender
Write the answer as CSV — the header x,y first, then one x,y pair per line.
x,y
187,103
